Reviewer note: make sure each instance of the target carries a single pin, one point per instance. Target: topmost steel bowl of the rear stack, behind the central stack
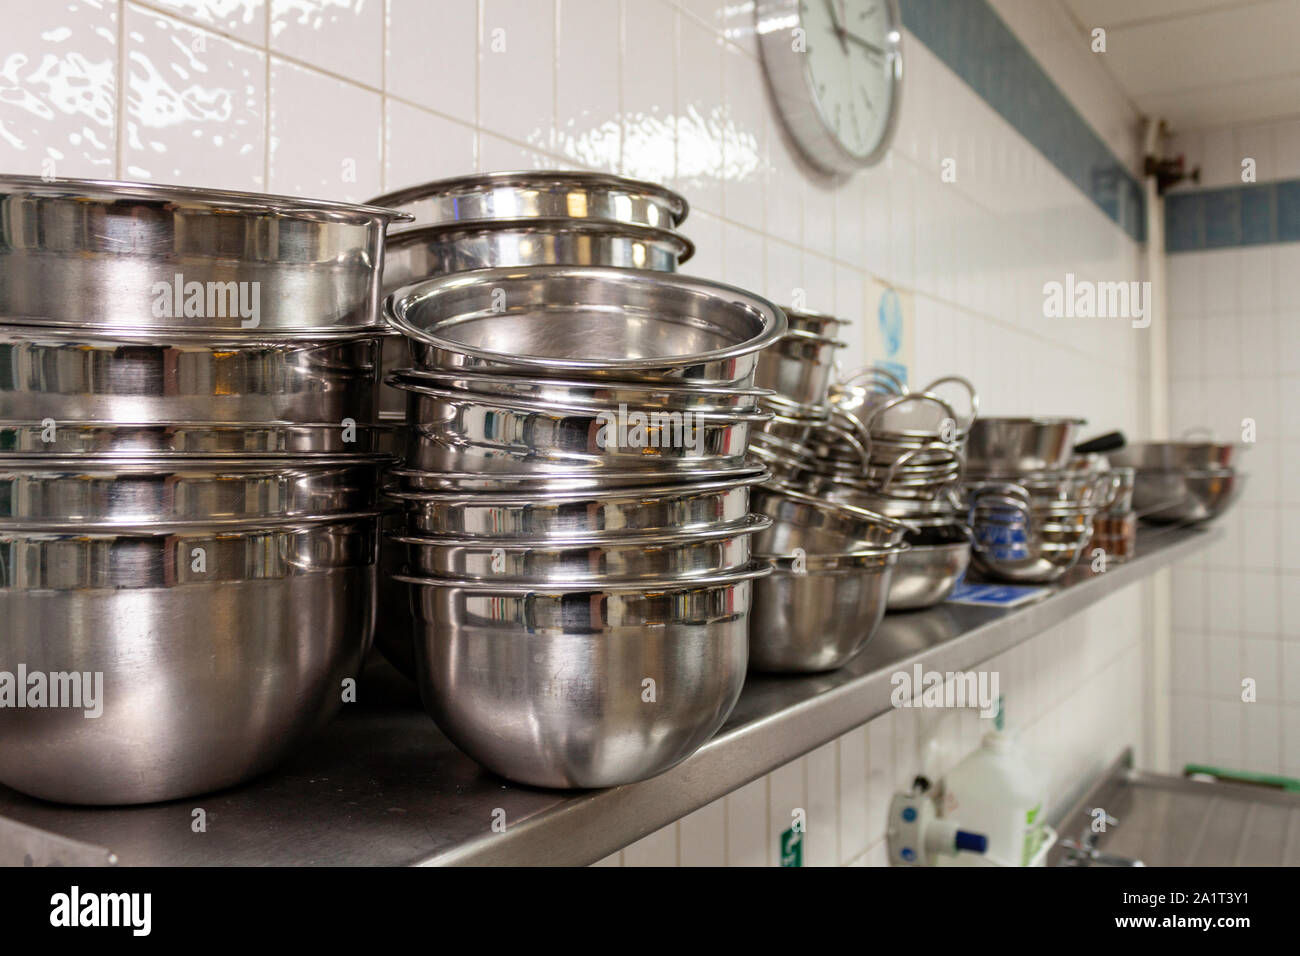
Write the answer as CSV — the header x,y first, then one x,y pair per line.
x,y
541,194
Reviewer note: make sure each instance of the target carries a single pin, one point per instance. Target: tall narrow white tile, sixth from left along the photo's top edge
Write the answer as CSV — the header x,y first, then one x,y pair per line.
x,y
587,85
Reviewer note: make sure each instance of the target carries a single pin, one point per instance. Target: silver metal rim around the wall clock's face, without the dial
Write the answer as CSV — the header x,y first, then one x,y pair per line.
x,y
799,106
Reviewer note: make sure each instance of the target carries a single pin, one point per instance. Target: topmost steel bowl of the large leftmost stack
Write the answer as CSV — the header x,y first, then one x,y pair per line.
x,y
89,254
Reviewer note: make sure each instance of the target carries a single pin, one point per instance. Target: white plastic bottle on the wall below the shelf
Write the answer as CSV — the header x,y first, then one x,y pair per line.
x,y
998,793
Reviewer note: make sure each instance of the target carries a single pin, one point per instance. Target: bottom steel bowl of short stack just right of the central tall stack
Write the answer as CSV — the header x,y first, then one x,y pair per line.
x,y
814,613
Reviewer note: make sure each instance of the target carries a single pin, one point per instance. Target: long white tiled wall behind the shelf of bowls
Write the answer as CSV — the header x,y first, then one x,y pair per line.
x,y
346,98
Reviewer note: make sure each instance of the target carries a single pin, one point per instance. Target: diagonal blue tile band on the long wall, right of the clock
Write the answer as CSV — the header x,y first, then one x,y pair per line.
x,y
982,50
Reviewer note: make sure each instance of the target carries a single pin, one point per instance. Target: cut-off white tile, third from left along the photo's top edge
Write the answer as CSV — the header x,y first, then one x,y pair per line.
x,y
341,37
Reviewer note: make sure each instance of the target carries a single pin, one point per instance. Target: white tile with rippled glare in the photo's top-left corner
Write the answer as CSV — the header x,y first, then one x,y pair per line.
x,y
59,89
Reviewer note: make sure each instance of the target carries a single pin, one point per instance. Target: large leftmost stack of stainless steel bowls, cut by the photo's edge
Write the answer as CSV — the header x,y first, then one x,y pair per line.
x,y
189,527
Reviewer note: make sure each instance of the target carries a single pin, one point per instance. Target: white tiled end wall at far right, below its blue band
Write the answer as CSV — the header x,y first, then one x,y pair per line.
x,y
1234,319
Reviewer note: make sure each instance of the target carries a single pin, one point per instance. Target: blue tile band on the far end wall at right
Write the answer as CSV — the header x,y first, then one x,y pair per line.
x,y
1232,217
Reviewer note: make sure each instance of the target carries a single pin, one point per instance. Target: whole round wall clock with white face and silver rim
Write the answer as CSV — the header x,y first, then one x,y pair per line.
x,y
835,70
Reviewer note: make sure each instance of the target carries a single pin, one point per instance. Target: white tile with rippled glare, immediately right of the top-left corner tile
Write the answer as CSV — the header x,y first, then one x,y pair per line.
x,y
196,106
